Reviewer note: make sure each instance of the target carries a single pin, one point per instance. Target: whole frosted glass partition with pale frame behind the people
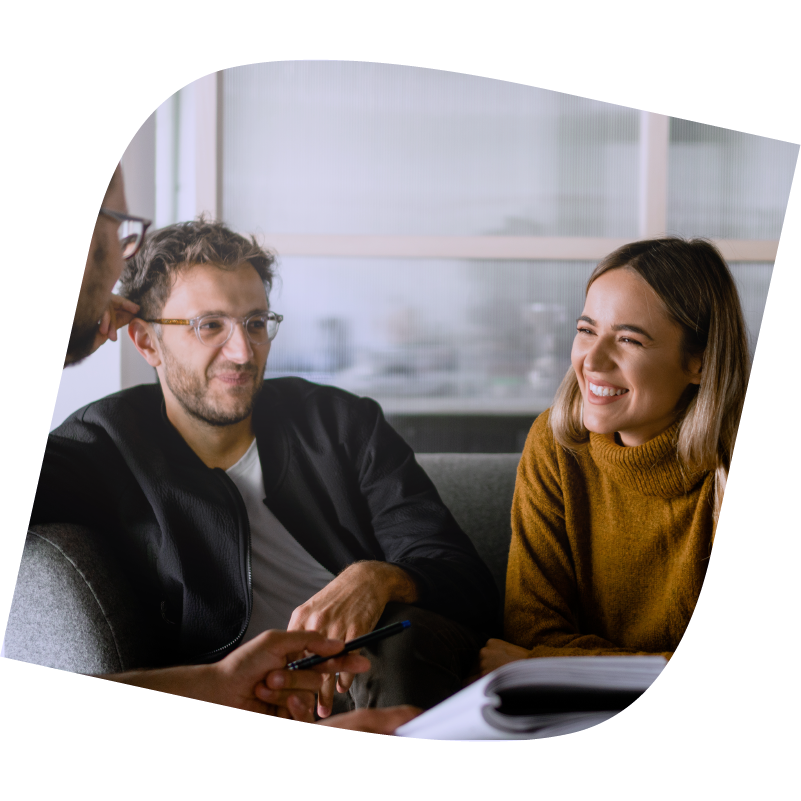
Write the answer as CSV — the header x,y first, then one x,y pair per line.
x,y
435,230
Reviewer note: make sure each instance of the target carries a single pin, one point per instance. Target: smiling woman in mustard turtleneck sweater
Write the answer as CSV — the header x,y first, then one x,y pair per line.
x,y
620,485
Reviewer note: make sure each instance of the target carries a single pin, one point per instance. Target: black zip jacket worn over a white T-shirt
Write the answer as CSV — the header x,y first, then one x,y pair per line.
x,y
336,475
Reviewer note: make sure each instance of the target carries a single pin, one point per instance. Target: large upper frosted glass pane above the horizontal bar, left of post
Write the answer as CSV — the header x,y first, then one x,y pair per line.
x,y
361,148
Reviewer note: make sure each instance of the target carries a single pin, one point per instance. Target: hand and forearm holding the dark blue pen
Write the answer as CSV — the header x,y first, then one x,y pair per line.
x,y
251,677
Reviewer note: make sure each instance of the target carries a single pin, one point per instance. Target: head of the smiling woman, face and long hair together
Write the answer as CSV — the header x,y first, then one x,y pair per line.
x,y
686,294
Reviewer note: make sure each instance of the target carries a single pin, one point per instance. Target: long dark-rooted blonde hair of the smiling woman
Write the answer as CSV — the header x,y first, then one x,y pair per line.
x,y
699,295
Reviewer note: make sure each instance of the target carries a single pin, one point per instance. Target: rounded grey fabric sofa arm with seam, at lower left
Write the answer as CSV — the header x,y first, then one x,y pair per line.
x,y
73,608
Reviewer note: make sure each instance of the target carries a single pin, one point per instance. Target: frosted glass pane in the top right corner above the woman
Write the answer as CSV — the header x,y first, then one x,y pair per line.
x,y
727,184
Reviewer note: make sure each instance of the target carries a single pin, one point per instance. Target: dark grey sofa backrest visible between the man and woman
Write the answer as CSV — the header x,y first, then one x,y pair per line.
x,y
478,489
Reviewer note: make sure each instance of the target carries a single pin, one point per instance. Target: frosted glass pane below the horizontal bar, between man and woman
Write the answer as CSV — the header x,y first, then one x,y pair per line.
x,y
460,337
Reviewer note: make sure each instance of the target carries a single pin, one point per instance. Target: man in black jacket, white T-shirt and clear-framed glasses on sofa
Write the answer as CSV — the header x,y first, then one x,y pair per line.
x,y
242,505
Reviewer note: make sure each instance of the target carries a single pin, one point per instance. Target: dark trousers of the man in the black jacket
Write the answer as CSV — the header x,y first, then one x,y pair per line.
x,y
422,666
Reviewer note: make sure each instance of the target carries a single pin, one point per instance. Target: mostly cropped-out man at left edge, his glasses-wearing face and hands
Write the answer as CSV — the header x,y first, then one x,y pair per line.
x,y
252,676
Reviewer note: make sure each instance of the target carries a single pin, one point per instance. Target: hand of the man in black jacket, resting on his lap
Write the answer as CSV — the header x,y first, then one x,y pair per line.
x,y
348,607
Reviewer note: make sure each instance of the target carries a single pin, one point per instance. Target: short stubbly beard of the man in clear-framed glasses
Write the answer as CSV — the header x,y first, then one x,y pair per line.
x,y
192,392
